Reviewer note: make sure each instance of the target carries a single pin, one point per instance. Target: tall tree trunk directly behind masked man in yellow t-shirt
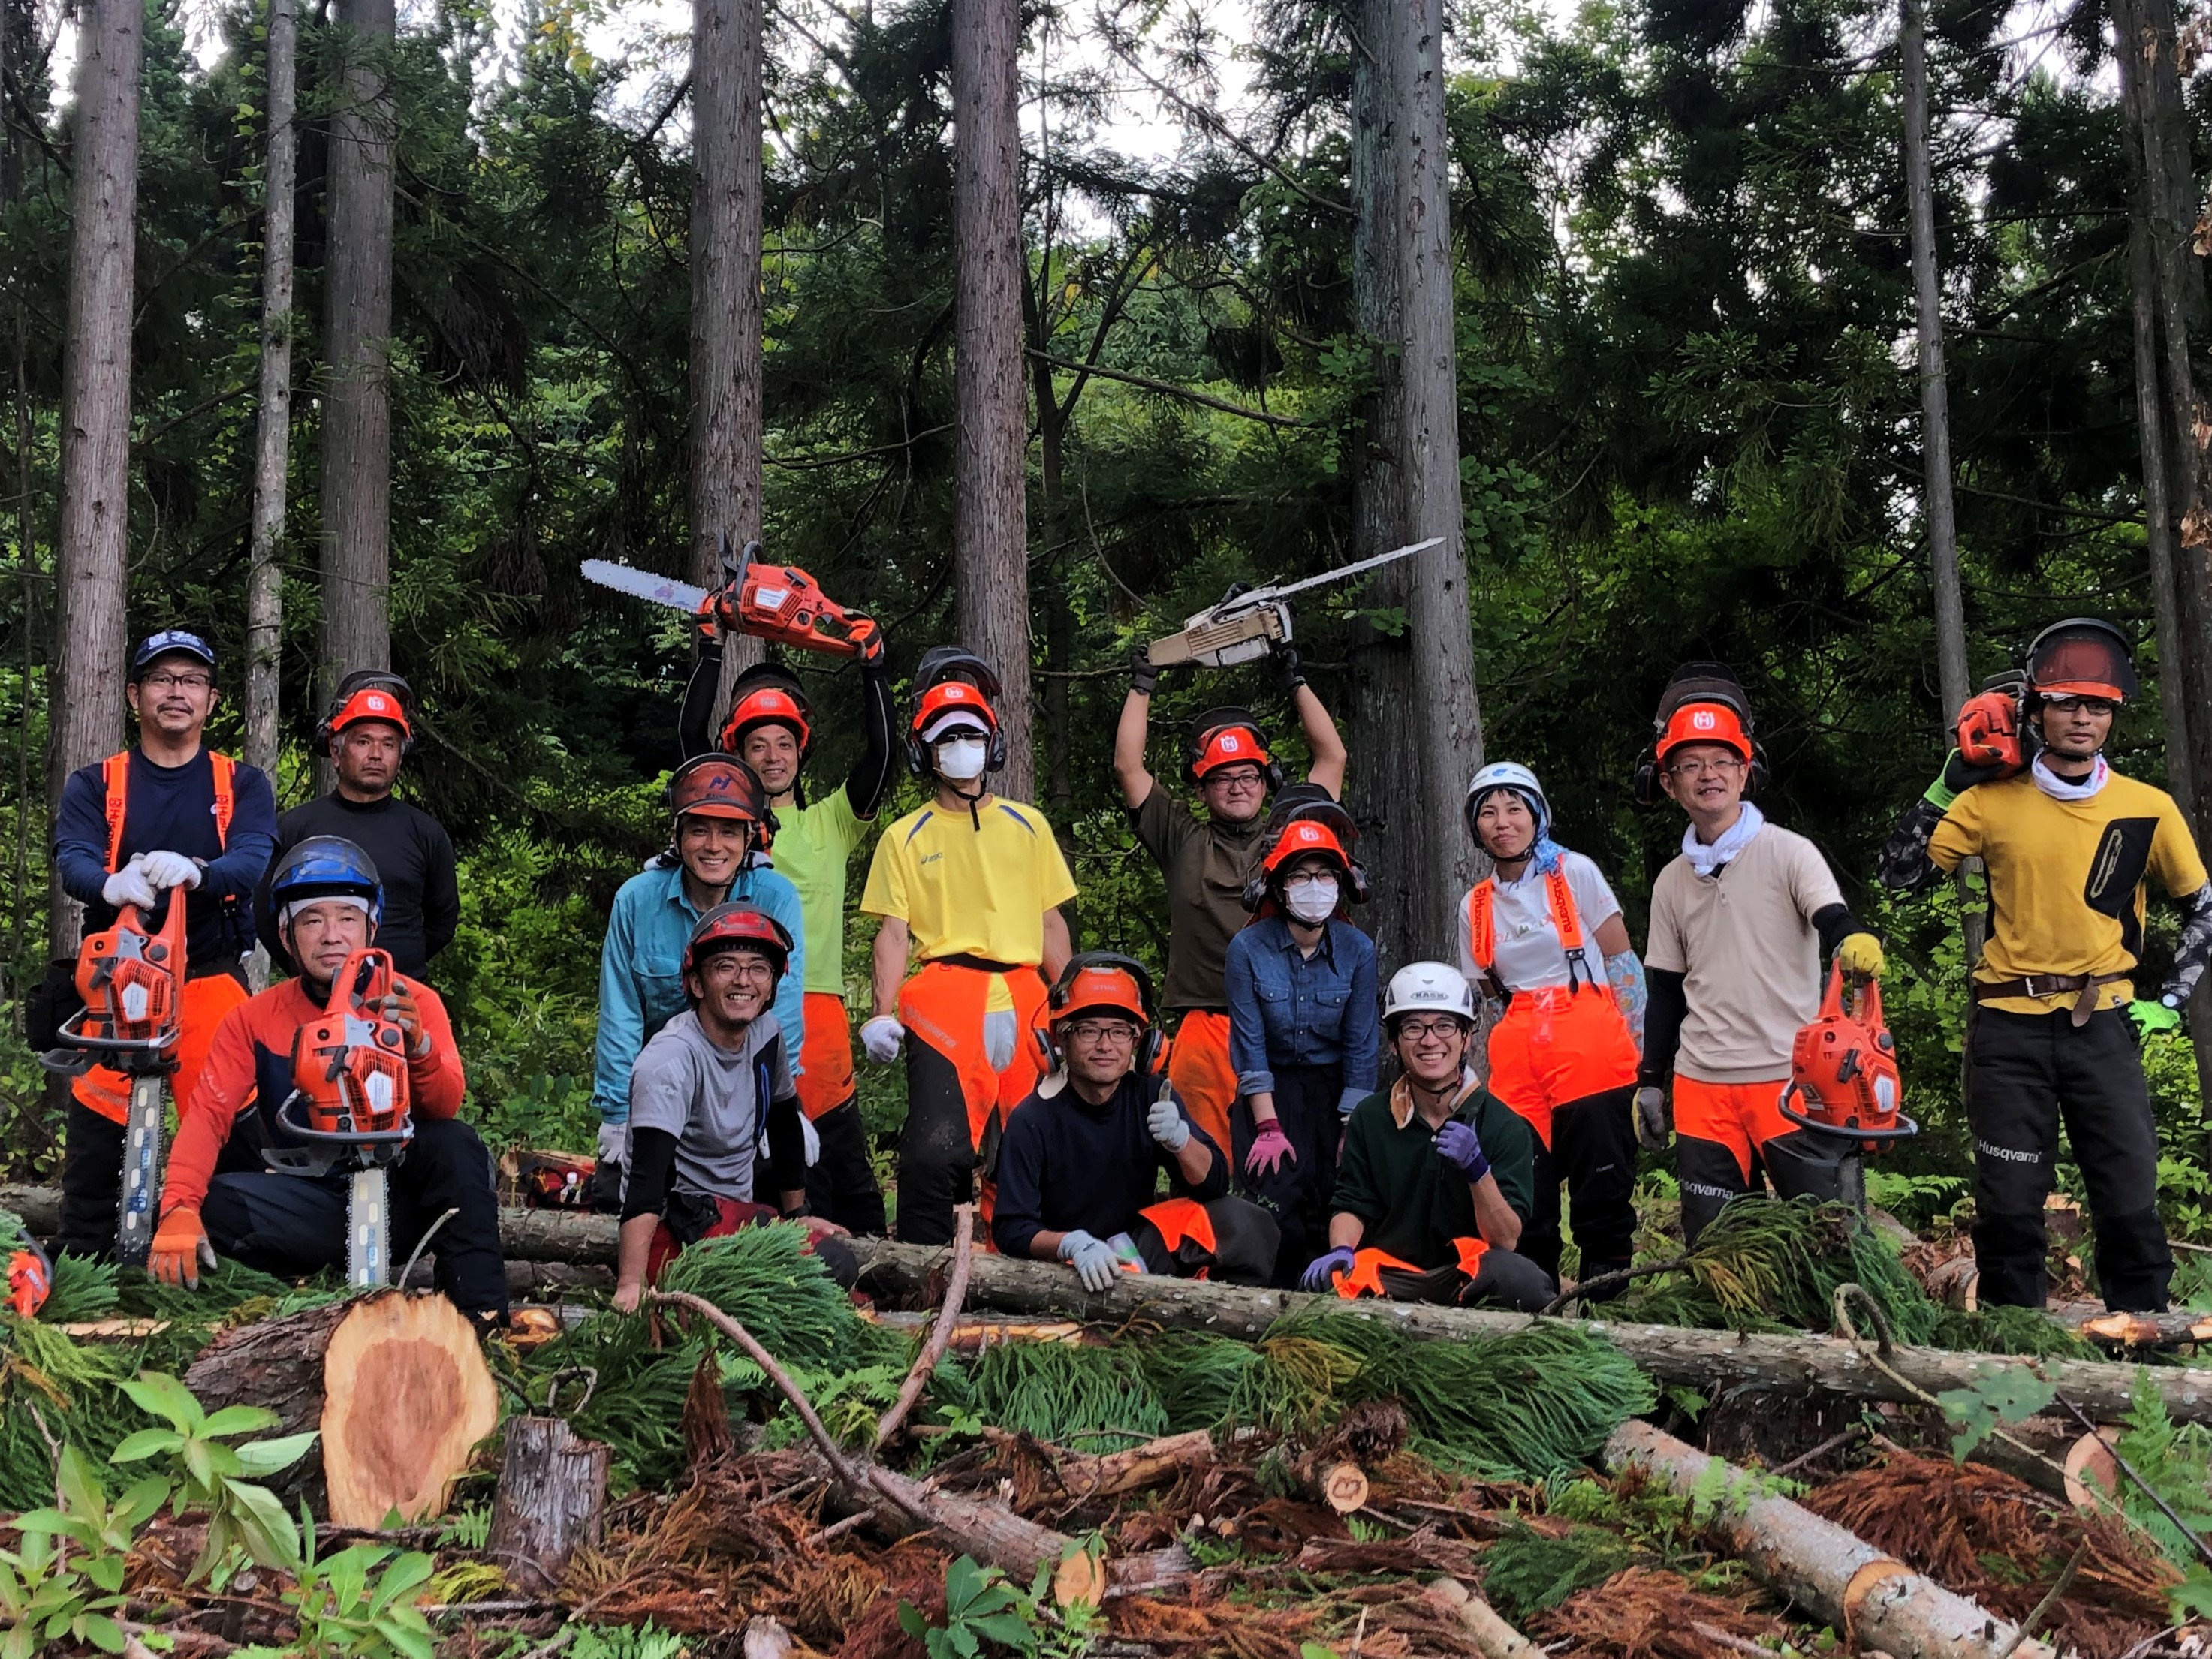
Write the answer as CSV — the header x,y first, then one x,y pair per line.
x,y
990,494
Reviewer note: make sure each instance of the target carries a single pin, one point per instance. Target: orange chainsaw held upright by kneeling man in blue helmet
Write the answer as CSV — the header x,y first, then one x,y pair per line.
x,y
351,1103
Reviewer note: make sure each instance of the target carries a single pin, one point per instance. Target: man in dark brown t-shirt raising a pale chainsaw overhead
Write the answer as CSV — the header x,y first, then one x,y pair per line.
x,y
1209,862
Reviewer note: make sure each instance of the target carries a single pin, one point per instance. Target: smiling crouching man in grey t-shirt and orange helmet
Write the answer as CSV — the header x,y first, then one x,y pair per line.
x,y
711,1087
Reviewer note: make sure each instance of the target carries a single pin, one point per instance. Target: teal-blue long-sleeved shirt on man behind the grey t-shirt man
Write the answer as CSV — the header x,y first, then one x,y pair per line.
x,y
643,981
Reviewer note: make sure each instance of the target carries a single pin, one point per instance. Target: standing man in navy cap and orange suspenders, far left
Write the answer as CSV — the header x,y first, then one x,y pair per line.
x,y
163,817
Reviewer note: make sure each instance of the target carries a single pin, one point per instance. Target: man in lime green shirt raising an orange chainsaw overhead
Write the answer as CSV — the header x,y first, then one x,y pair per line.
x,y
771,729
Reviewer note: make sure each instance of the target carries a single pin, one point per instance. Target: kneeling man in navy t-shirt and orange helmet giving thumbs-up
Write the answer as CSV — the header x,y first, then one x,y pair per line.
x,y
1085,1151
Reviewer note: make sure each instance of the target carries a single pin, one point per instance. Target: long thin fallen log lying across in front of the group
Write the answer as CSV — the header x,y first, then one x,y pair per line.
x,y
1673,1355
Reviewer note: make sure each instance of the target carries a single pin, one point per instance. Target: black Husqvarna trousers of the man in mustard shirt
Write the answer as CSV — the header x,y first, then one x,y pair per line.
x,y
2025,1076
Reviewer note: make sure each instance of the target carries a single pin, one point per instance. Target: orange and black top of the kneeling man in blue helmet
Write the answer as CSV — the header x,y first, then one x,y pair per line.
x,y
231,1118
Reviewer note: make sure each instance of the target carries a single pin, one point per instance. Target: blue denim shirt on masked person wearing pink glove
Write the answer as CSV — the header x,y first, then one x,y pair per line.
x,y
1291,1010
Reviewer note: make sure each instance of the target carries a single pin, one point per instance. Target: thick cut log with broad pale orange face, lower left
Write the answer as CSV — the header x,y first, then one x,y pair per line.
x,y
397,1384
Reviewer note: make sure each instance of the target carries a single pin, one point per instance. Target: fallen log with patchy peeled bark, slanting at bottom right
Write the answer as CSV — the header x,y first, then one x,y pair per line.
x,y
1833,1574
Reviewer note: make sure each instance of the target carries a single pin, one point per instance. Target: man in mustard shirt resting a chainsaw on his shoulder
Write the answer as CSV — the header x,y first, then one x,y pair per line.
x,y
2054,1030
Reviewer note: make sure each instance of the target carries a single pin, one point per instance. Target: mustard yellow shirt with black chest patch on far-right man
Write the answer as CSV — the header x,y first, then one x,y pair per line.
x,y
2067,879
